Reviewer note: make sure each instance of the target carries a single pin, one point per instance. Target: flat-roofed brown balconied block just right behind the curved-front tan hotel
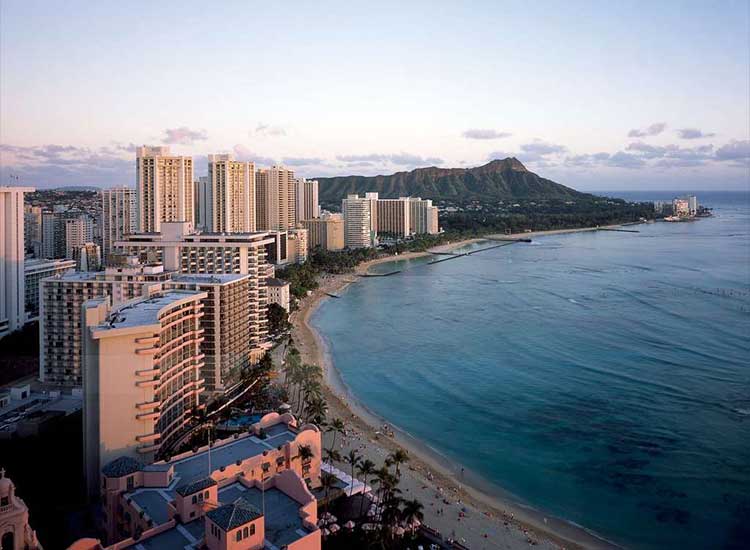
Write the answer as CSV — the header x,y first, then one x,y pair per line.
x,y
226,344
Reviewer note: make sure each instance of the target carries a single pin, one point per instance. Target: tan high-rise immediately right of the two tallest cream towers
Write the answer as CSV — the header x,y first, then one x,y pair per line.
x,y
275,196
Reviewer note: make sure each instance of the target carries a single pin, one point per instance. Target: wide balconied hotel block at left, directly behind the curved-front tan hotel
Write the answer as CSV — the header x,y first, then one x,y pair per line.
x,y
61,298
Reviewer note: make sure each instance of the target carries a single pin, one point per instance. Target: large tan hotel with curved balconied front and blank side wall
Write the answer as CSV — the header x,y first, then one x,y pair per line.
x,y
142,375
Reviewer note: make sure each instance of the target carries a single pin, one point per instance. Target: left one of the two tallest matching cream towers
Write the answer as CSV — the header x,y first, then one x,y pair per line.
x,y
164,185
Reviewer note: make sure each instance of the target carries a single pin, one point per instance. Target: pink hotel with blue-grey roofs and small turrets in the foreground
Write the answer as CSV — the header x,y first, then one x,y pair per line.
x,y
250,492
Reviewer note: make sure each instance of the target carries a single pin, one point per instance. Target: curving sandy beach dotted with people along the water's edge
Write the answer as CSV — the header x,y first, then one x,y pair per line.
x,y
489,521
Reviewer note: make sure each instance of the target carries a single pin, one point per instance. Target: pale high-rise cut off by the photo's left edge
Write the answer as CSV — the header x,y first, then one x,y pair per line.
x,y
12,281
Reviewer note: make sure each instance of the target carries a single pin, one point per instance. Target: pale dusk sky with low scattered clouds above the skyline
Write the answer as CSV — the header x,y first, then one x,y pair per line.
x,y
595,95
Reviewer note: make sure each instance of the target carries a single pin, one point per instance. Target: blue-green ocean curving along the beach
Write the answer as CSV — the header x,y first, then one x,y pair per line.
x,y
602,378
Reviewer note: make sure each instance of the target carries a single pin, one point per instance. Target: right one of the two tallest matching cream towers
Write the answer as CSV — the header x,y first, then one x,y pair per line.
x,y
228,201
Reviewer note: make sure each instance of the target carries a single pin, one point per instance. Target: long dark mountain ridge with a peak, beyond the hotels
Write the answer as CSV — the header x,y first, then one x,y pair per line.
x,y
498,179
